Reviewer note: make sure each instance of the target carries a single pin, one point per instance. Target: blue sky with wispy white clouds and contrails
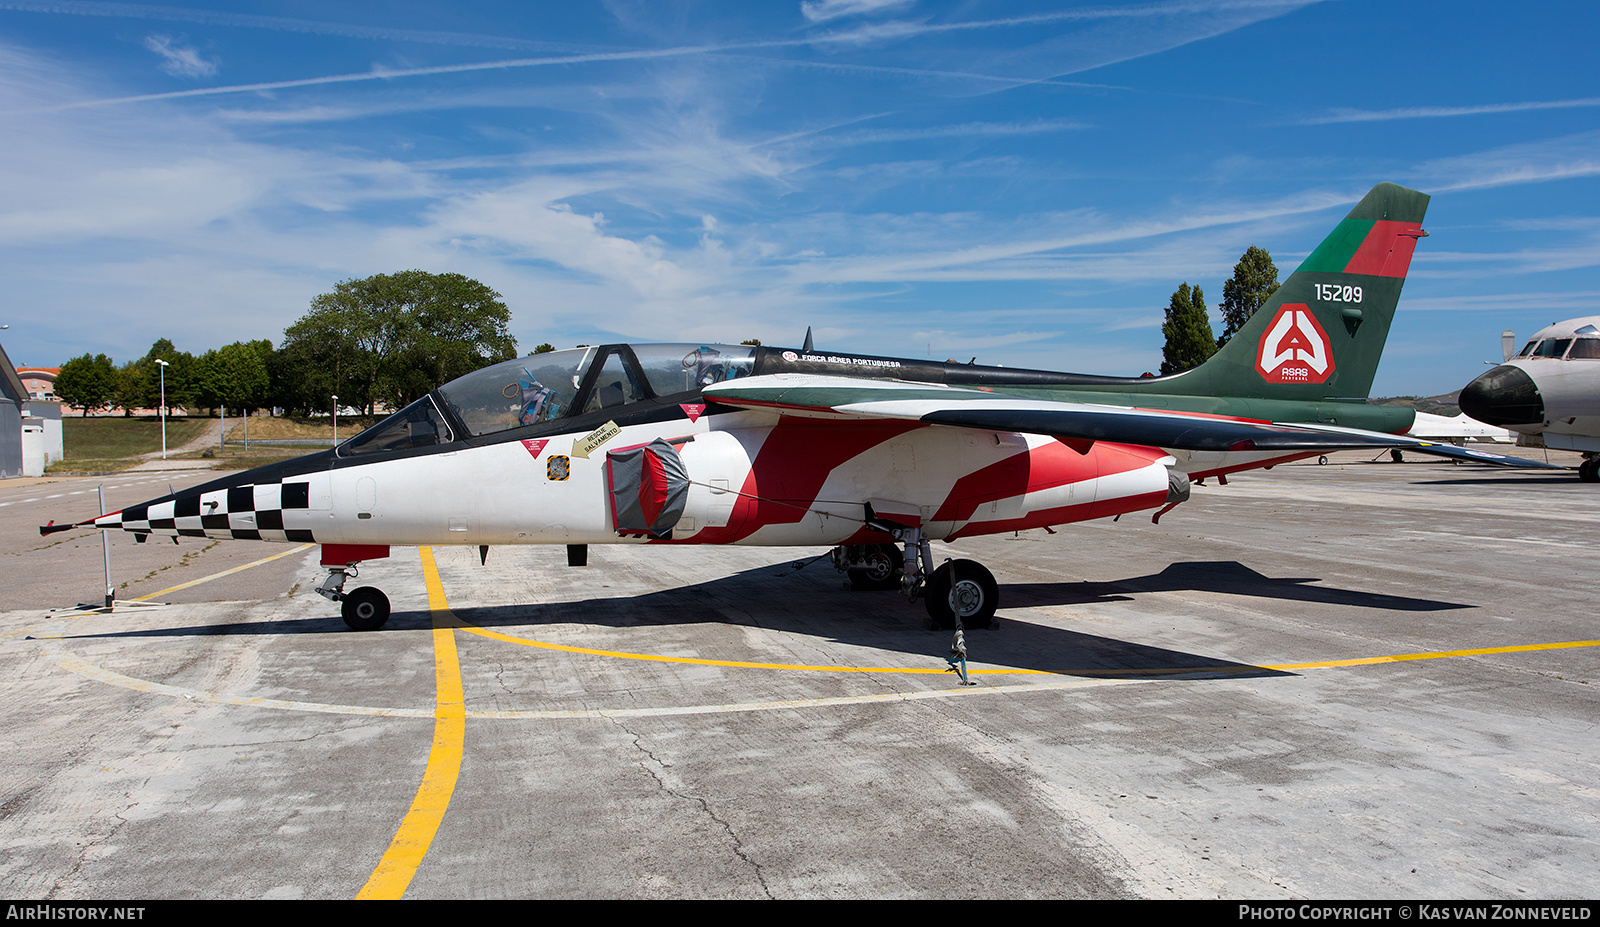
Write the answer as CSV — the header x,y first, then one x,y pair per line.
x,y
1025,183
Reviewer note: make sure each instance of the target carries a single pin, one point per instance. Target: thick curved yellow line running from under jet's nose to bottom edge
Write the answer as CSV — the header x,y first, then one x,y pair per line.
x,y
444,761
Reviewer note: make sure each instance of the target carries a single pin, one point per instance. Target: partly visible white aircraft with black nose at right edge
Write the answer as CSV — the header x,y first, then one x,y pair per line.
x,y
1550,393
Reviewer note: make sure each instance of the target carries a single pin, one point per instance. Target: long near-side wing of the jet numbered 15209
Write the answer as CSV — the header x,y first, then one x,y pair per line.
x,y
1070,422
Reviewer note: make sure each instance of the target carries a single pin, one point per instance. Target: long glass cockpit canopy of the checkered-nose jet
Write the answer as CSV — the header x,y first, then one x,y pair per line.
x,y
551,387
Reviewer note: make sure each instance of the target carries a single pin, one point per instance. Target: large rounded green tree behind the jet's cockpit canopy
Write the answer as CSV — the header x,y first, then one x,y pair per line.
x,y
396,337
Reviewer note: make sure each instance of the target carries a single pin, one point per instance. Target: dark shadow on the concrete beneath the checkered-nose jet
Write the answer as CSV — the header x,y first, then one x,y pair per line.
x,y
812,603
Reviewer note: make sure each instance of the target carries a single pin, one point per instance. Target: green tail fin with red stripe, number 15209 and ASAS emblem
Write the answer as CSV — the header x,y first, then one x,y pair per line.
x,y
1322,334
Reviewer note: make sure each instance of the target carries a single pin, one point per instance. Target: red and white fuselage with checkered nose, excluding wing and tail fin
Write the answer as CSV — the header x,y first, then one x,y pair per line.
x,y
524,454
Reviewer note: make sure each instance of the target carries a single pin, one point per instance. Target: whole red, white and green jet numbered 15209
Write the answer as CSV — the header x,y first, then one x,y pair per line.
x,y
874,457
